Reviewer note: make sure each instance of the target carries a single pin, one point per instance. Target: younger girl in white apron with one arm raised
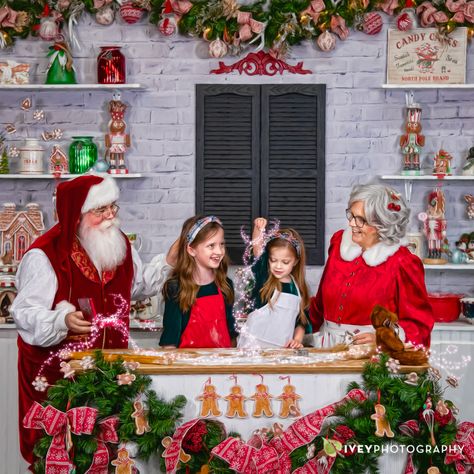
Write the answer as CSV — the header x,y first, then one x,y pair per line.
x,y
280,294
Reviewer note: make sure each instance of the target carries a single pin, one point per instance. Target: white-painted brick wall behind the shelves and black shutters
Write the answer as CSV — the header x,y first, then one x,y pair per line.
x,y
364,123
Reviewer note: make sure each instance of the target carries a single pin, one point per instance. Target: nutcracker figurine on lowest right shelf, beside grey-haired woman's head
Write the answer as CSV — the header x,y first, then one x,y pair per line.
x,y
434,227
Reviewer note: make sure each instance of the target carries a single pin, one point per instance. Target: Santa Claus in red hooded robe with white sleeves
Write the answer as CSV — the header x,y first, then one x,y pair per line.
x,y
85,255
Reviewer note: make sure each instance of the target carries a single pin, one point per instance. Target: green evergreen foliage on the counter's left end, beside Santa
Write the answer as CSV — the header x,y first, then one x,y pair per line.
x,y
98,388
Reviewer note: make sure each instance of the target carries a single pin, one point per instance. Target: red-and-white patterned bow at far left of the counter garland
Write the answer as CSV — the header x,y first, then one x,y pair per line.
x,y
60,425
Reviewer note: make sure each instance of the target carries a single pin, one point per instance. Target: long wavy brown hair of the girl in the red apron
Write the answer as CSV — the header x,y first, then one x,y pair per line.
x,y
183,272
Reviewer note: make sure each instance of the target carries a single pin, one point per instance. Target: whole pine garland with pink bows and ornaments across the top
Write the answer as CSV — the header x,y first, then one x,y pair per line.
x,y
231,27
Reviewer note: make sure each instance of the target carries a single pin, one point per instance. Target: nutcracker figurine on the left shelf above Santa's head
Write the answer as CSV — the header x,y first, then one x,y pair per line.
x,y
117,141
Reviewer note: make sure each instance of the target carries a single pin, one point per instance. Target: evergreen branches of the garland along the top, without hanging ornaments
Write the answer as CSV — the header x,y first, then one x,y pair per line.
x,y
286,21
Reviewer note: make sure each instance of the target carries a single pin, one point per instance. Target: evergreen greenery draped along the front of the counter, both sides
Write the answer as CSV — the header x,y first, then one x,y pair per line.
x,y
351,425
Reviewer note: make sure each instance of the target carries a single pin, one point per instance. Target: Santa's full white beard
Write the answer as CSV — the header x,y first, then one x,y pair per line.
x,y
105,244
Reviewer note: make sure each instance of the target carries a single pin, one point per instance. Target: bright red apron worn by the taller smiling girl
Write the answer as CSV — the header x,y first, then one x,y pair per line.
x,y
207,326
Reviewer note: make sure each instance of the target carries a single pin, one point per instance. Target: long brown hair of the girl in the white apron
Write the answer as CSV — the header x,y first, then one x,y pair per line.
x,y
298,272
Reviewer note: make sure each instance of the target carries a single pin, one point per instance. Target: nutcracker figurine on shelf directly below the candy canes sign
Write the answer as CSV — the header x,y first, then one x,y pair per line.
x,y
413,141
